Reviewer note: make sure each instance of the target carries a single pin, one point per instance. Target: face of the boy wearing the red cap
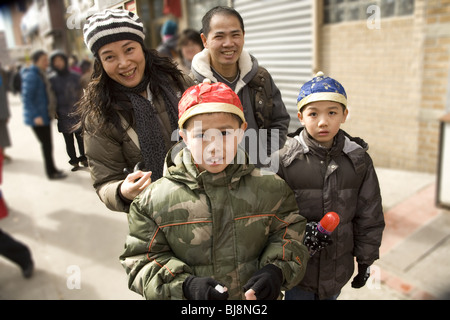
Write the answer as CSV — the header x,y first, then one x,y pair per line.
x,y
213,140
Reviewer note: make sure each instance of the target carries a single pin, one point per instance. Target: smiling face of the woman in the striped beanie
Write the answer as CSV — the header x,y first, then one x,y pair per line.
x,y
123,61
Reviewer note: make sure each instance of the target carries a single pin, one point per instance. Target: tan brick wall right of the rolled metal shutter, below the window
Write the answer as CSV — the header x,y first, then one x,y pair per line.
x,y
396,79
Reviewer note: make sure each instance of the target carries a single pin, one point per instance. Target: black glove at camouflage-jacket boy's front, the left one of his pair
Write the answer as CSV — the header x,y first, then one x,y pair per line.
x,y
202,288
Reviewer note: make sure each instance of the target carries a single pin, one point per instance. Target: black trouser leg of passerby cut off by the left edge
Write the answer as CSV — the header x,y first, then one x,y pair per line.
x,y
14,250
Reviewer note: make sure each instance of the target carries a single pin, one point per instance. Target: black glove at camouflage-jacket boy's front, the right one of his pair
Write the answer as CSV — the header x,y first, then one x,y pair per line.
x,y
266,283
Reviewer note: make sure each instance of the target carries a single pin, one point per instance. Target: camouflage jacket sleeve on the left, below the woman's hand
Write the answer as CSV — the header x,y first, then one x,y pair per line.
x,y
152,268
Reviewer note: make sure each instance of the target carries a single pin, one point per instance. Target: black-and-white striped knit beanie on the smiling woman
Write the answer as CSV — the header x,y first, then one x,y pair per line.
x,y
112,25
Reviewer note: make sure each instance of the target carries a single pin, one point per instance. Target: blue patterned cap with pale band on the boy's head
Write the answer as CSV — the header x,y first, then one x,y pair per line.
x,y
321,88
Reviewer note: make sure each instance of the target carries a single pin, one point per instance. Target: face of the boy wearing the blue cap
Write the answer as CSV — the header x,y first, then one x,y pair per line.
x,y
322,120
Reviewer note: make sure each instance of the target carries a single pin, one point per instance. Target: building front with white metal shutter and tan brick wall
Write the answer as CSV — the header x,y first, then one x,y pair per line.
x,y
393,58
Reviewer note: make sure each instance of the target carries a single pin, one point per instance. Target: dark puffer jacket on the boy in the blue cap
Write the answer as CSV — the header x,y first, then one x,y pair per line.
x,y
341,179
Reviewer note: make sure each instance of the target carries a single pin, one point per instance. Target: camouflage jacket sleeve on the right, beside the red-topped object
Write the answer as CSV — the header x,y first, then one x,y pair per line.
x,y
285,247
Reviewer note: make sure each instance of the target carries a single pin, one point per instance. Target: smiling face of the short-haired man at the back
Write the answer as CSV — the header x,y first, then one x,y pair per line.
x,y
225,41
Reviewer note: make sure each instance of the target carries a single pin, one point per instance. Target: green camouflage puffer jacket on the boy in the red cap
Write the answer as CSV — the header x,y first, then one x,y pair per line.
x,y
225,225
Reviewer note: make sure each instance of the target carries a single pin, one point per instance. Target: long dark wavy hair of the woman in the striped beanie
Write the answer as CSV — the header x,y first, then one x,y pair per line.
x,y
98,104
